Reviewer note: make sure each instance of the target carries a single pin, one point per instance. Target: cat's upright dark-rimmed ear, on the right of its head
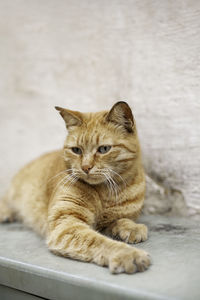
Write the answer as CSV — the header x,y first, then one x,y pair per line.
x,y
121,114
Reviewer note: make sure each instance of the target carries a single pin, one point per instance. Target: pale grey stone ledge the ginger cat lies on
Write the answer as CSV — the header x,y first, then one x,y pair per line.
x,y
174,243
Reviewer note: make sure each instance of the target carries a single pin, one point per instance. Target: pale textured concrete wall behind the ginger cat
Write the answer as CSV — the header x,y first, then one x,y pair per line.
x,y
86,55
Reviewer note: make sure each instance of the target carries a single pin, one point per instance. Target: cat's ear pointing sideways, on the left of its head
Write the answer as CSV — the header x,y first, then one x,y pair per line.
x,y
71,118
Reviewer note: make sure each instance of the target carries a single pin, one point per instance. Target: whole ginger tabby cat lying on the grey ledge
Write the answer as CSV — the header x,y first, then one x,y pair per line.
x,y
95,183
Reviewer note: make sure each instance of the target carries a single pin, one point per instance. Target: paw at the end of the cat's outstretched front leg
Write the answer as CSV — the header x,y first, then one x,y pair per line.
x,y
129,261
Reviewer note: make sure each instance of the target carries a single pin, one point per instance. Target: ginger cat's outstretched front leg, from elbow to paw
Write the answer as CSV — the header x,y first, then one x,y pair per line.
x,y
70,235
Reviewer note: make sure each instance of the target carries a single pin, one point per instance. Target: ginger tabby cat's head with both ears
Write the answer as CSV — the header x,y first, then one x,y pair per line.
x,y
100,147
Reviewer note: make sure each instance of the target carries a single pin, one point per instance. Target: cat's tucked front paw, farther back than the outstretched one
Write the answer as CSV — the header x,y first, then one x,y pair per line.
x,y
128,231
